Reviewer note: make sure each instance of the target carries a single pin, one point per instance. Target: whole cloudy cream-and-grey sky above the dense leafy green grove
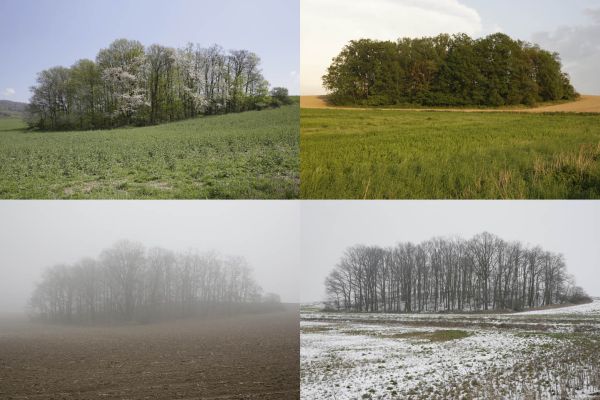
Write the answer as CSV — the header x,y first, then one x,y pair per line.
x,y
571,28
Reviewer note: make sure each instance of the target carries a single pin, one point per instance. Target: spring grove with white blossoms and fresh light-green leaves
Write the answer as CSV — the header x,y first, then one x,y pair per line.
x,y
129,84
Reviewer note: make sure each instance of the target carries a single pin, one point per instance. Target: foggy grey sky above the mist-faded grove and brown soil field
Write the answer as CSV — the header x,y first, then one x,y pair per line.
x,y
38,234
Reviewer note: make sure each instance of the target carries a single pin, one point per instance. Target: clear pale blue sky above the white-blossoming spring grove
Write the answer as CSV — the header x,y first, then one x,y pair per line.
x,y
38,34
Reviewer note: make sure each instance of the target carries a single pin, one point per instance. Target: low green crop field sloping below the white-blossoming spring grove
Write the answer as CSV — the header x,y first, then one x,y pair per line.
x,y
247,155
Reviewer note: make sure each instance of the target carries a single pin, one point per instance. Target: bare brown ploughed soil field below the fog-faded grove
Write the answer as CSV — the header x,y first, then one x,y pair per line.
x,y
248,357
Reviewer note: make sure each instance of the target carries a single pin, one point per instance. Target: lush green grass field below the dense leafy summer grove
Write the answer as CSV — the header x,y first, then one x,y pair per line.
x,y
379,154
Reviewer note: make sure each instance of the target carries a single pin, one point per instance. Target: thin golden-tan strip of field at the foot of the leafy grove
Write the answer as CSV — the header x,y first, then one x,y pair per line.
x,y
586,104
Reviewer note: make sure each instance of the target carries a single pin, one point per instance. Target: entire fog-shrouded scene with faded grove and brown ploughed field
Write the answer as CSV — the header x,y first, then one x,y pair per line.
x,y
149,299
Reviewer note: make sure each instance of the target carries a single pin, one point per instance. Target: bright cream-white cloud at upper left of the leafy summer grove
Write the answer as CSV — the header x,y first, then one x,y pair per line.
x,y
328,25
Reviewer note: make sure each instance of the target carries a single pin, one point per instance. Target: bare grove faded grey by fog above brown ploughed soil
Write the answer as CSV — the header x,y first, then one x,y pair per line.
x,y
129,282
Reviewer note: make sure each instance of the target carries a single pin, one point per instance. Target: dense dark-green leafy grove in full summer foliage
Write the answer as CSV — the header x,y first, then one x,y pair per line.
x,y
446,71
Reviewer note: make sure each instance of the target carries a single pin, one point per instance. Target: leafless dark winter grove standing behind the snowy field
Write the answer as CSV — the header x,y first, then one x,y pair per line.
x,y
450,274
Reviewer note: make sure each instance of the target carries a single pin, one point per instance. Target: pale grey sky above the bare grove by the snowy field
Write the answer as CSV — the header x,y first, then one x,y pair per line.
x,y
328,228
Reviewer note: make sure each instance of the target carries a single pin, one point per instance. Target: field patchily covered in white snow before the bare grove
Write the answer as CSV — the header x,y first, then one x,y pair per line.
x,y
440,356
